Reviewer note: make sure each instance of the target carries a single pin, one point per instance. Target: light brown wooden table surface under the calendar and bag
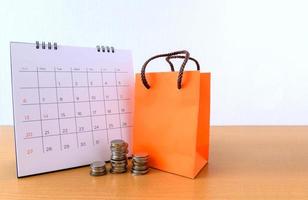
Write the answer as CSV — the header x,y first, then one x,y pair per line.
x,y
245,163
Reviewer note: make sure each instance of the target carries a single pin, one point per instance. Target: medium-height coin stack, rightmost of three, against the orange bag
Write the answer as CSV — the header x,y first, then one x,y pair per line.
x,y
140,164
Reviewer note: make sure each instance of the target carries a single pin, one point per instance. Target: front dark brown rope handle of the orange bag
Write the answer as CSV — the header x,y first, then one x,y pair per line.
x,y
180,77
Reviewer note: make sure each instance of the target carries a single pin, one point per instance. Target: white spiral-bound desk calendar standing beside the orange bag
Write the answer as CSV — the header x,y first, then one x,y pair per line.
x,y
69,103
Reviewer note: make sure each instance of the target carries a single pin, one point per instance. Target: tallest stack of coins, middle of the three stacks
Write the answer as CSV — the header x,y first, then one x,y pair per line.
x,y
118,156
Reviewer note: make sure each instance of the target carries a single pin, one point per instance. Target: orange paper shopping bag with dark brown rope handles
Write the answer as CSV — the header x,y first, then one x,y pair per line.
x,y
172,117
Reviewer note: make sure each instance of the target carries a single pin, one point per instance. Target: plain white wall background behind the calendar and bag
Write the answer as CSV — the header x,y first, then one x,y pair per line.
x,y
257,51
